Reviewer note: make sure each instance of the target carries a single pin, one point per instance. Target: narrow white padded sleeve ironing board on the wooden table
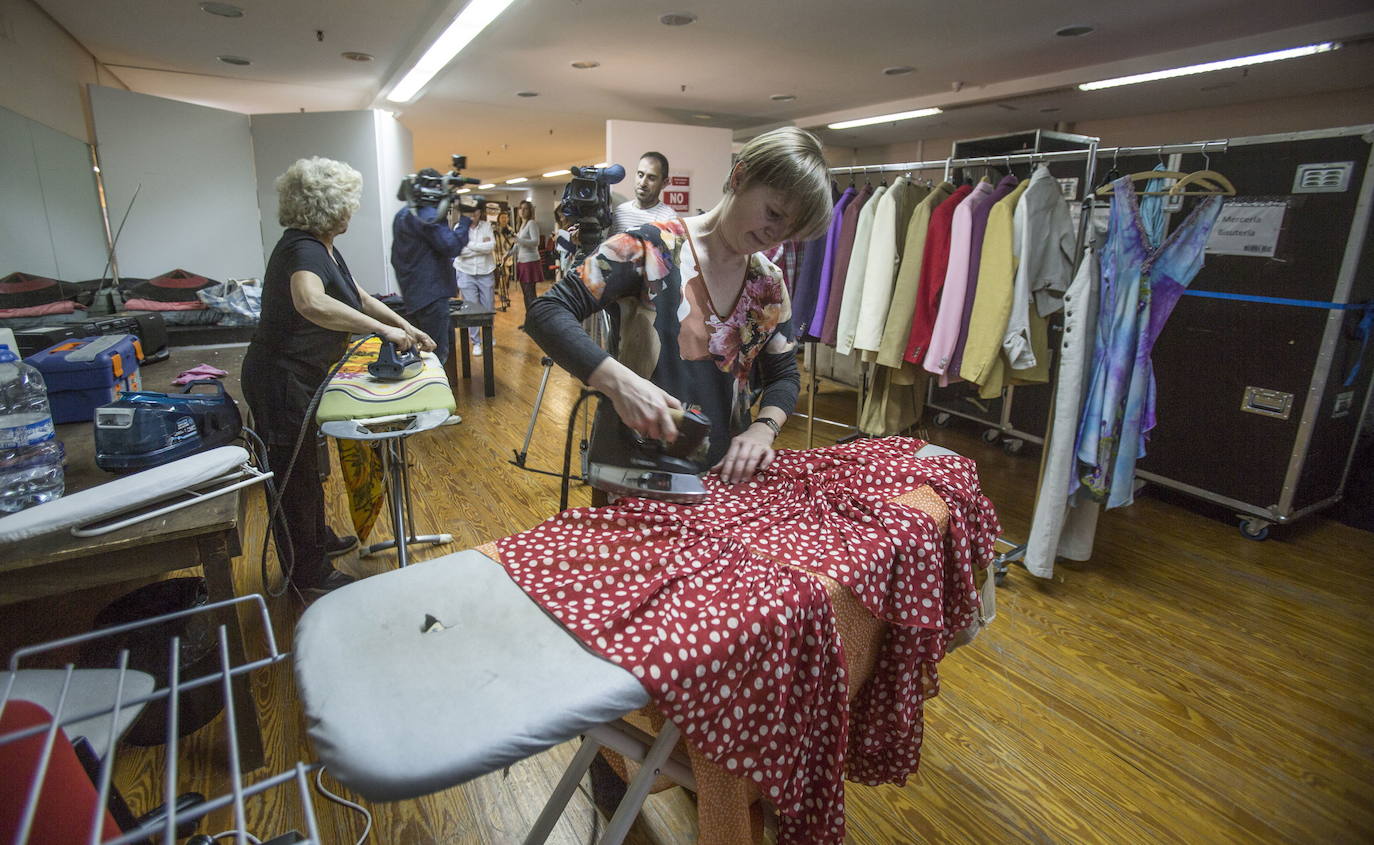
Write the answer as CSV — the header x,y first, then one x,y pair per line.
x,y
122,495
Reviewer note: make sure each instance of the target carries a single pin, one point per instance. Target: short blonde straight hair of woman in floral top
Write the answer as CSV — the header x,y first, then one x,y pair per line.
x,y
791,161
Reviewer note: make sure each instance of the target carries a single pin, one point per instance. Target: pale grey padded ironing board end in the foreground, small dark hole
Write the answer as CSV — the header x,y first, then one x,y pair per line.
x,y
399,714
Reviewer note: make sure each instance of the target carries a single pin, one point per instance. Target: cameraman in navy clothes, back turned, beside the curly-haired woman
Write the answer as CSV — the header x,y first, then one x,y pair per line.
x,y
424,248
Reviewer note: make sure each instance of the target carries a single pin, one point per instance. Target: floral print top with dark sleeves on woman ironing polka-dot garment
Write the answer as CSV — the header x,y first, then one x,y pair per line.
x,y
667,329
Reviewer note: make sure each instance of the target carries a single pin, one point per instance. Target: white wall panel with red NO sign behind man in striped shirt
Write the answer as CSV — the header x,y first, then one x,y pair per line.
x,y
701,152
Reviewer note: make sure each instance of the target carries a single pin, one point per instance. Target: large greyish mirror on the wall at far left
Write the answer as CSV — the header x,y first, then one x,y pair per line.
x,y
50,212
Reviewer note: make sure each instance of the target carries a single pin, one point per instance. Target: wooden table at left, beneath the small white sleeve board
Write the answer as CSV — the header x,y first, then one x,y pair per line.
x,y
205,535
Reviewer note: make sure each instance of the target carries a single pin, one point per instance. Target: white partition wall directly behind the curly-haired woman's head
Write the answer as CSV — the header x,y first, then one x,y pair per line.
x,y
359,139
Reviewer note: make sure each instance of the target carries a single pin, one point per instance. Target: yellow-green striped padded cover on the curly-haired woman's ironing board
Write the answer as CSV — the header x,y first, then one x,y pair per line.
x,y
355,395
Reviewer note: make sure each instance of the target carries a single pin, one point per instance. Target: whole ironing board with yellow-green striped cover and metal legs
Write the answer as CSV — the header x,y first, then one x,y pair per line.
x,y
358,407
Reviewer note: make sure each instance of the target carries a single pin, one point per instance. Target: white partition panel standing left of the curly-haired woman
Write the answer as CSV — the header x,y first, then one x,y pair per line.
x,y
193,170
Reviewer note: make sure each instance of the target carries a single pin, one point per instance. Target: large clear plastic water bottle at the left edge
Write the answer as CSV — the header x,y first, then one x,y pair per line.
x,y
31,455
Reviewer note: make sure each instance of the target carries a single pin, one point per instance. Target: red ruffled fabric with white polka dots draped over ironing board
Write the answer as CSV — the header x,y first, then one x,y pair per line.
x,y
712,608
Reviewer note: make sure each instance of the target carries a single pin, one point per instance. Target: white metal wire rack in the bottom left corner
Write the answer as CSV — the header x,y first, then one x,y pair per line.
x,y
164,829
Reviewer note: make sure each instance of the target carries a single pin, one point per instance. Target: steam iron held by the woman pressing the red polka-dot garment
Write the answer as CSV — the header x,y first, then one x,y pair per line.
x,y
623,464
